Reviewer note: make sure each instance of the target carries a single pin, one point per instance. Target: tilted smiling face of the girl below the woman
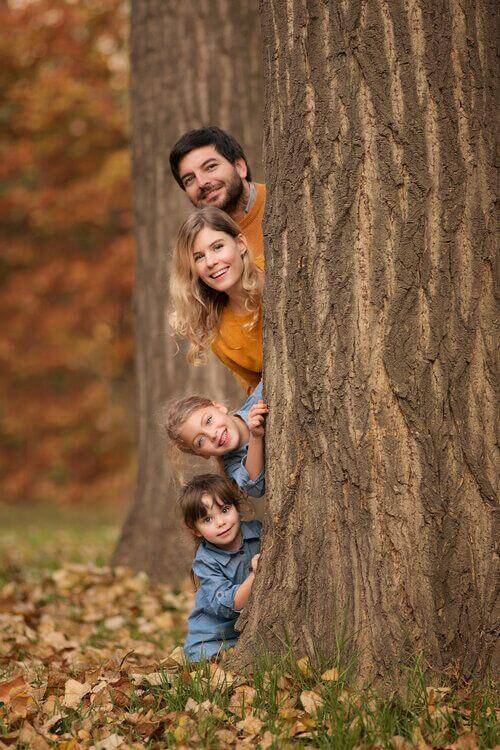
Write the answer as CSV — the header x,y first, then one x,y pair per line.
x,y
211,431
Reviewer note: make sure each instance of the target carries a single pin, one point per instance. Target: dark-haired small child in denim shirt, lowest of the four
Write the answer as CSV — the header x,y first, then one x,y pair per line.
x,y
225,563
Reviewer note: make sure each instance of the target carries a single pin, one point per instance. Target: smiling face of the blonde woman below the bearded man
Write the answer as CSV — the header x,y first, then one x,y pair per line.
x,y
218,259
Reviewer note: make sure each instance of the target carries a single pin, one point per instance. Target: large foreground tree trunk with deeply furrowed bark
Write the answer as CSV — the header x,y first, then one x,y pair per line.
x,y
379,314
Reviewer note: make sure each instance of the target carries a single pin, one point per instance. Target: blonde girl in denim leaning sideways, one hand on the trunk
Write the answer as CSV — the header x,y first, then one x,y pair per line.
x,y
205,428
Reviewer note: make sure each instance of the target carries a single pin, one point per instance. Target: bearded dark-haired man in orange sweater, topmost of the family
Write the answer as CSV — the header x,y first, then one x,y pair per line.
x,y
212,169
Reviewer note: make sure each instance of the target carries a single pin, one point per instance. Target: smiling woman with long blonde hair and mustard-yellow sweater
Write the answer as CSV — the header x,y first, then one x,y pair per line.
x,y
216,290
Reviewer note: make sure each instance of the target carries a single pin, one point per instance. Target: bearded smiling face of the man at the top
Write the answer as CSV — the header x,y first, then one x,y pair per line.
x,y
211,180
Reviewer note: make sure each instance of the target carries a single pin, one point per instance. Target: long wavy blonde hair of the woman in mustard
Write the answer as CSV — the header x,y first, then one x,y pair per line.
x,y
197,308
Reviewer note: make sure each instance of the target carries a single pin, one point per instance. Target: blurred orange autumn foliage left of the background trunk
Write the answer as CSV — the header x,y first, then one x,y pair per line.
x,y
66,252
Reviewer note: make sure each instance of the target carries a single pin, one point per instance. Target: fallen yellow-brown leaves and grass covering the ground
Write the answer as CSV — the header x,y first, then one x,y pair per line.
x,y
90,658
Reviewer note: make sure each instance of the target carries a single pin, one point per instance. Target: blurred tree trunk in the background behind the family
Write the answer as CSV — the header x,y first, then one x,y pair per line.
x,y
193,62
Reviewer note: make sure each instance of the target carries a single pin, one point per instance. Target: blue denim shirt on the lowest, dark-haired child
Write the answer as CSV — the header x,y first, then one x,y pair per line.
x,y
220,573
